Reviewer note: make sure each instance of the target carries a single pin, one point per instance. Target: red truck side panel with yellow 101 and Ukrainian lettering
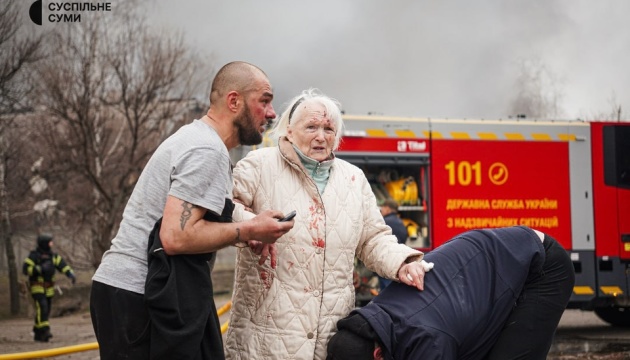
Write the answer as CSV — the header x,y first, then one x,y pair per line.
x,y
487,184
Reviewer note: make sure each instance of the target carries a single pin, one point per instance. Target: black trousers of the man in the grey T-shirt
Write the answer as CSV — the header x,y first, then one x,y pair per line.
x,y
121,323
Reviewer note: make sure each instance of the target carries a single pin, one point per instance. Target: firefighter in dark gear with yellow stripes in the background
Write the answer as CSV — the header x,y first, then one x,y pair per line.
x,y
40,266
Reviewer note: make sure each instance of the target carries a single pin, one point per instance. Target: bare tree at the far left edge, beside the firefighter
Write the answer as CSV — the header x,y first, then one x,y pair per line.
x,y
17,52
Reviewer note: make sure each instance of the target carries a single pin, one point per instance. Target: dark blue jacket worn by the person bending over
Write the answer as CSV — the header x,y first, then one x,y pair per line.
x,y
467,297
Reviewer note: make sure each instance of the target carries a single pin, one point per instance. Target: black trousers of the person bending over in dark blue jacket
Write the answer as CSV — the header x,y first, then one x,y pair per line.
x,y
529,331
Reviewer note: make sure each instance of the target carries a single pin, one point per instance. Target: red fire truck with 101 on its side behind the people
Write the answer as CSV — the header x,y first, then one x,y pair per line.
x,y
570,179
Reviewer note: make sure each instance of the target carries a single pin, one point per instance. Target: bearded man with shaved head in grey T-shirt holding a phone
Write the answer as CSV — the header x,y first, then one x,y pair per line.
x,y
152,293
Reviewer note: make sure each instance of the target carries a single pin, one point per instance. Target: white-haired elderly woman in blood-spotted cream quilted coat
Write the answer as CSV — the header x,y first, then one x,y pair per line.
x,y
289,311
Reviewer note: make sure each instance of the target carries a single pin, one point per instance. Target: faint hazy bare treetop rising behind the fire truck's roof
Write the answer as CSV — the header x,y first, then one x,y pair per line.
x,y
538,92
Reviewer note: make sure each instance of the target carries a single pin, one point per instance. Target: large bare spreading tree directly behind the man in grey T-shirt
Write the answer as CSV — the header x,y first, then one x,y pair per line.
x,y
111,93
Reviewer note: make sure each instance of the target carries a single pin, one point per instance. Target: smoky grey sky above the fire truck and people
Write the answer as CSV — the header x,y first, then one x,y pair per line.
x,y
456,59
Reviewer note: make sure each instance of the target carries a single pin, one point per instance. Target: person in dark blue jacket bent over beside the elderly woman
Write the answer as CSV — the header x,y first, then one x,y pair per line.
x,y
493,294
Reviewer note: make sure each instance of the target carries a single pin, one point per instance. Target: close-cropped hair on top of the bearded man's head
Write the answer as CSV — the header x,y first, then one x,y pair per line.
x,y
236,75
